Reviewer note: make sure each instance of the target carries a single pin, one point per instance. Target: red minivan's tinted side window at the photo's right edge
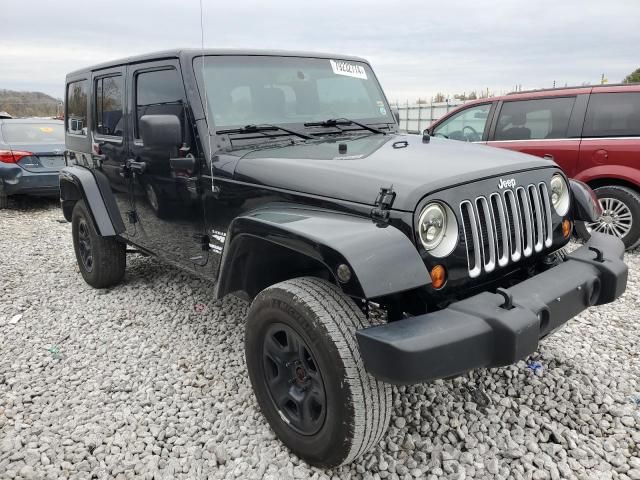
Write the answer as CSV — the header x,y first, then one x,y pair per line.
x,y
613,115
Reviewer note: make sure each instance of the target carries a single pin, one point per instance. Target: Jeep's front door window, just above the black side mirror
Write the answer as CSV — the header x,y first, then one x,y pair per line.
x,y
158,92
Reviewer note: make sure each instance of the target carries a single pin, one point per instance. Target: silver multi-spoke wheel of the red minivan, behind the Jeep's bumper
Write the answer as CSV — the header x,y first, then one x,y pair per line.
x,y
620,215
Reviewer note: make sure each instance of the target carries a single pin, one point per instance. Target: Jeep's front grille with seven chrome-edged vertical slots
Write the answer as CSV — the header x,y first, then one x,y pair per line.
x,y
503,228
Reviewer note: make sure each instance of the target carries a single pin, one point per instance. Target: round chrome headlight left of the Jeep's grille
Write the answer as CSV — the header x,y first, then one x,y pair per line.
x,y
438,229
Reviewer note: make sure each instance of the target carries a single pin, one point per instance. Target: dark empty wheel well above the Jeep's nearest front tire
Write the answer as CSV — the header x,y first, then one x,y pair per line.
x,y
258,263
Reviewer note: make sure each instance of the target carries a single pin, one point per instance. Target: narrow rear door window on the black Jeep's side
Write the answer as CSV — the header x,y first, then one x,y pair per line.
x,y
109,95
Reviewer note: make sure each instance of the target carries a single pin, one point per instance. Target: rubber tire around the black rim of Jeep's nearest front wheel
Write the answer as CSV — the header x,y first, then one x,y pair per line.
x,y
358,407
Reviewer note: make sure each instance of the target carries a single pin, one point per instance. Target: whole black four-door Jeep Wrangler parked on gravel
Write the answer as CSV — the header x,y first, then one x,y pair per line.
x,y
370,257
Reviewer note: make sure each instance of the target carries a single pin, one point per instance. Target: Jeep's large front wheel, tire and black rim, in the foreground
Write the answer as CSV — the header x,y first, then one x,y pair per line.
x,y
307,374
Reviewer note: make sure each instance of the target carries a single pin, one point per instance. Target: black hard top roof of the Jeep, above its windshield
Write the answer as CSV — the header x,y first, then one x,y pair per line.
x,y
195,52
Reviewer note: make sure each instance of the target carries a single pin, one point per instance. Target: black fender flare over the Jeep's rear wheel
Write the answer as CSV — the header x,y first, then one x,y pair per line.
x,y
93,187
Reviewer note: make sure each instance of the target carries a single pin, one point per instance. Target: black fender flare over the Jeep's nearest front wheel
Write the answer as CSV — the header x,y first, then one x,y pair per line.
x,y
382,260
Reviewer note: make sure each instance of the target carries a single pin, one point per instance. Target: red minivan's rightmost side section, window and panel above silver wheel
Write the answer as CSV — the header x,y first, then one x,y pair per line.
x,y
611,135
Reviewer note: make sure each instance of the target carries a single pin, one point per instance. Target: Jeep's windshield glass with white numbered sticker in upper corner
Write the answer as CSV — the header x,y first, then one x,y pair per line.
x,y
250,90
